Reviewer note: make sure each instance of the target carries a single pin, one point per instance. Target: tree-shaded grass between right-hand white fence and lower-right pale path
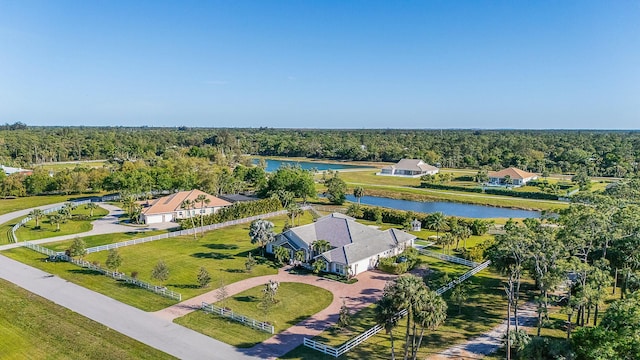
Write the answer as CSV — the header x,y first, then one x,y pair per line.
x,y
485,309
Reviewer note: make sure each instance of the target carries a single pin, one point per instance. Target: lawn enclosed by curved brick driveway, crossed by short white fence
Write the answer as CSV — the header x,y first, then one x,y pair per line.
x,y
296,302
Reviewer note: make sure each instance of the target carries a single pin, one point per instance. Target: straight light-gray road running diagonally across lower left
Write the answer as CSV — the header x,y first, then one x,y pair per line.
x,y
137,324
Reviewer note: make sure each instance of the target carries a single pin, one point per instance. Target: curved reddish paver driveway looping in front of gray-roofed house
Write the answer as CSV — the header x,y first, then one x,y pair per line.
x,y
365,292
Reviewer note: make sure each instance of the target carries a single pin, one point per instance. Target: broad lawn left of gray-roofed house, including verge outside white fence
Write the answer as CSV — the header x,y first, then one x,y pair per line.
x,y
222,252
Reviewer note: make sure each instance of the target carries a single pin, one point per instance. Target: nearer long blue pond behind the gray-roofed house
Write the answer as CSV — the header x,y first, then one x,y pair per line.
x,y
447,208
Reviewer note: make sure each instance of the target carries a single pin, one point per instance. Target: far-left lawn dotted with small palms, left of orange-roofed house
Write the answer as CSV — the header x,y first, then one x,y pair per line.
x,y
73,226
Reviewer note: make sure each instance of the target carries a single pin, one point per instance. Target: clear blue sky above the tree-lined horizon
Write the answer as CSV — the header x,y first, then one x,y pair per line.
x,y
334,64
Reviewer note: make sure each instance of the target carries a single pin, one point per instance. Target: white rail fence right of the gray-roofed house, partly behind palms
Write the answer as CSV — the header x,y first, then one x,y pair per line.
x,y
350,344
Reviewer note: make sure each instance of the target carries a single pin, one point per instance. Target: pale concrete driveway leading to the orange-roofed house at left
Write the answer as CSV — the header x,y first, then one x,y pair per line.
x,y
108,224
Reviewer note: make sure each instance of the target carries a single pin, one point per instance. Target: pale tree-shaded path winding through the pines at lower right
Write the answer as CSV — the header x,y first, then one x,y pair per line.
x,y
491,341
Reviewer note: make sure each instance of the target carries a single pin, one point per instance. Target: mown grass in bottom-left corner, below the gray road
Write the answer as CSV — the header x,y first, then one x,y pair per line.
x,y
36,328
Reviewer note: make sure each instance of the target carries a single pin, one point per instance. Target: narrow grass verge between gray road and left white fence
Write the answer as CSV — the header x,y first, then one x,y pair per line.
x,y
128,294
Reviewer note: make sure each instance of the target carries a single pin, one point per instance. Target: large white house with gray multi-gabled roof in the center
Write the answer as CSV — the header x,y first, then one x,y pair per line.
x,y
355,248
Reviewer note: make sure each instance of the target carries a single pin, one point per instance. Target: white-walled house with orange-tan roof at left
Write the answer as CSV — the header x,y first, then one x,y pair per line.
x,y
169,208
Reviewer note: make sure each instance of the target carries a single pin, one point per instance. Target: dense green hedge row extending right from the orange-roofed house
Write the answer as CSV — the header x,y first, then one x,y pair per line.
x,y
237,211
